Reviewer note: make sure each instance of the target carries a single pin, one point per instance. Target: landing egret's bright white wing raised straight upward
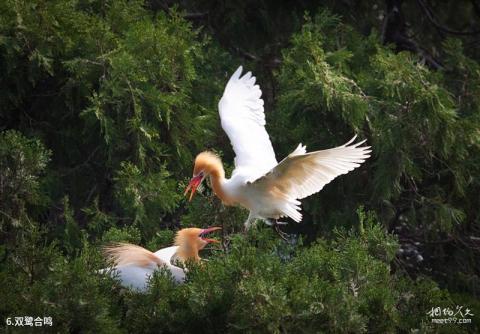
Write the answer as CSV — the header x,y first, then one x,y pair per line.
x,y
243,119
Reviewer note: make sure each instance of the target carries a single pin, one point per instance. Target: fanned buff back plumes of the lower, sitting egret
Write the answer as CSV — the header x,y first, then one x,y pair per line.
x,y
124,254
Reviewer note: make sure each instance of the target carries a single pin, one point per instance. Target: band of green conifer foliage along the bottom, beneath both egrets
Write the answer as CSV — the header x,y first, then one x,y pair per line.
x,y
260,285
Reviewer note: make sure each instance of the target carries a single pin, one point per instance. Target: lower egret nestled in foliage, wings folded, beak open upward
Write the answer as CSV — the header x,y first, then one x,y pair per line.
x,y
134,265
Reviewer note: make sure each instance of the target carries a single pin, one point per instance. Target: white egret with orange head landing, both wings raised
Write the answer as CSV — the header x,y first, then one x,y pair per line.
x,y
268,189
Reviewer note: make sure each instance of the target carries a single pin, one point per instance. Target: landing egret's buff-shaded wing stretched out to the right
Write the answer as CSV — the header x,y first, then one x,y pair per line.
x,y
302,174
